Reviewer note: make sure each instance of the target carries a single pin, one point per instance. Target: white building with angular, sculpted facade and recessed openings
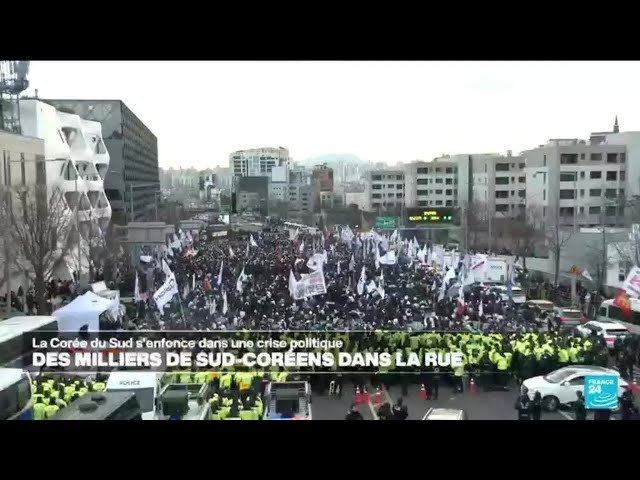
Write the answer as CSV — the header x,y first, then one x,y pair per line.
x,y
76,161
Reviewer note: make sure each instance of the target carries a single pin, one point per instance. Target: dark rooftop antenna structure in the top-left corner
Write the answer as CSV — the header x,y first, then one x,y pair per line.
x,y
13,81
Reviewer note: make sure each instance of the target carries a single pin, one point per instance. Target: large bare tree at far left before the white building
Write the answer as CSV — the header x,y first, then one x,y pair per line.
x,y
41,232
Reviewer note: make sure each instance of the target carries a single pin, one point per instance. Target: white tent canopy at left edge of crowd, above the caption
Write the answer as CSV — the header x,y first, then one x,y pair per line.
x,y
84,310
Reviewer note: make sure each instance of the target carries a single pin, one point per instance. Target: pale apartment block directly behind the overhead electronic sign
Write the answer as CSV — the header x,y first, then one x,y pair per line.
x,y
432,184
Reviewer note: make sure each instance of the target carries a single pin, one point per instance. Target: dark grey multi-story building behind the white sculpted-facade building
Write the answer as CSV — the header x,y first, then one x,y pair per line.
x,y
132,181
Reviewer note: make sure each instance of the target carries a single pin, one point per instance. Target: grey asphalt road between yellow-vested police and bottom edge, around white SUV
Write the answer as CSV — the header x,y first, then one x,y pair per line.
x,y
479,406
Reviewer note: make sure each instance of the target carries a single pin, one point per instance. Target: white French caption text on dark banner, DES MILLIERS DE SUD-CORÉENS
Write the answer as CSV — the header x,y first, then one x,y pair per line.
x,y
214,351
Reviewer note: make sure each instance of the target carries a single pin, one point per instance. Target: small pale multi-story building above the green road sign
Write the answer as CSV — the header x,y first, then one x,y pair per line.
x,y
384,190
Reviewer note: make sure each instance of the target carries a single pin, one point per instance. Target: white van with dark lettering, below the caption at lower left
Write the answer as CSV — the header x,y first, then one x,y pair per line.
x,y
146,386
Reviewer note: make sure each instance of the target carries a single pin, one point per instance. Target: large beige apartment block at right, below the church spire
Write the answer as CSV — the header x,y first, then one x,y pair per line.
x,y
577,182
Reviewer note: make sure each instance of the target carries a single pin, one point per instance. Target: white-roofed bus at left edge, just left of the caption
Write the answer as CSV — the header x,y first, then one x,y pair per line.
x,y
15,346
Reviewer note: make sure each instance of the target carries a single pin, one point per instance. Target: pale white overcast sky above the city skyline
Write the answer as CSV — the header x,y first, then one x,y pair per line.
x,y
379,111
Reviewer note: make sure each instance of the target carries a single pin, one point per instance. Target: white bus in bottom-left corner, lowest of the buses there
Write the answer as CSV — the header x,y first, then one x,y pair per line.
x,y
15,395
